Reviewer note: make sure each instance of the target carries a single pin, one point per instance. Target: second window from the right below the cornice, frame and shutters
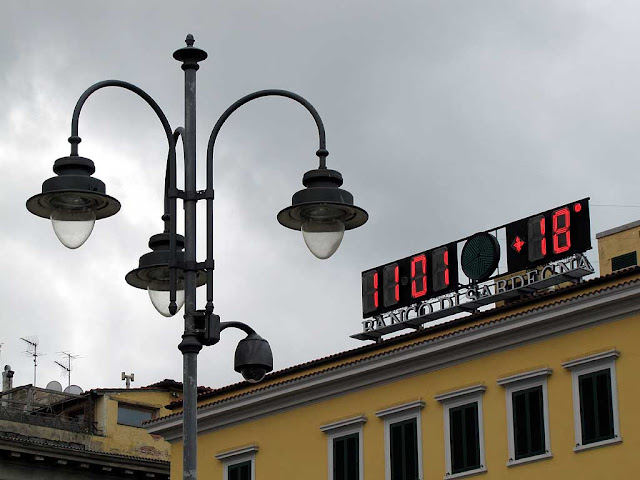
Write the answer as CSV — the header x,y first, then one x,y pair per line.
x,y
527,416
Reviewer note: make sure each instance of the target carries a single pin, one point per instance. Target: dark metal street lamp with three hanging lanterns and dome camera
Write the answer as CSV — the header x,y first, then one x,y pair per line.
x,y
73,200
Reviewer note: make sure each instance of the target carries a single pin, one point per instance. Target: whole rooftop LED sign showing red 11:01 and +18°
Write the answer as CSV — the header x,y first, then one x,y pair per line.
x,y
536,240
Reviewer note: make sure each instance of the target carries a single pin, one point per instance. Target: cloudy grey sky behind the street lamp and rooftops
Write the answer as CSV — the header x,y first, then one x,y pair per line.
x,y
444,117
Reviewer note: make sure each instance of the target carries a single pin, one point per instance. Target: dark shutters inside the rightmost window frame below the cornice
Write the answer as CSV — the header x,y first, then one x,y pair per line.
x,y
596,407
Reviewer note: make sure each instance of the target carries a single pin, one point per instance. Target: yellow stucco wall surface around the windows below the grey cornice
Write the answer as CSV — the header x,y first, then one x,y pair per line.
x,y
291,444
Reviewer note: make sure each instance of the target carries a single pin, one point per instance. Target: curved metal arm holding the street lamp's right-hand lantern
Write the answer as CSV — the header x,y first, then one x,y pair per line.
x,y
322,153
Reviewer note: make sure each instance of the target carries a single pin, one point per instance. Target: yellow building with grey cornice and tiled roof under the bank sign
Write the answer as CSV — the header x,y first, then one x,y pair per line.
x,y
544,387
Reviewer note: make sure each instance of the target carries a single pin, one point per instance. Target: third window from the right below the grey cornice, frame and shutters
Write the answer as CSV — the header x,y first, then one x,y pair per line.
x,y
463,431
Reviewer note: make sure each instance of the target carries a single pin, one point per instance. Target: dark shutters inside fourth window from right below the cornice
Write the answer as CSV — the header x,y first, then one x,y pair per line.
x,y
404,450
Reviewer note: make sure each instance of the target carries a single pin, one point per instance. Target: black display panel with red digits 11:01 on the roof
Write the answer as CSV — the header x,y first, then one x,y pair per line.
x,y
410,280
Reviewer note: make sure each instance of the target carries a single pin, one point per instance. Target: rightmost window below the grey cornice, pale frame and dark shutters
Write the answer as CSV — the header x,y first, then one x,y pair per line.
x,y
595,400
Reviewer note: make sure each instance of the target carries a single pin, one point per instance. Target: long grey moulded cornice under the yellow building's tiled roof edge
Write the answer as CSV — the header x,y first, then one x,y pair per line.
x,y
588,309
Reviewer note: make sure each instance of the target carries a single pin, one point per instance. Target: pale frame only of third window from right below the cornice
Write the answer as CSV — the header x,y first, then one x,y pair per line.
x,y
454,399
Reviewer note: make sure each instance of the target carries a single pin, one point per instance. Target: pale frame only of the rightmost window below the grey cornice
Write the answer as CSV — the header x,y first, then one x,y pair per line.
x,y
589,364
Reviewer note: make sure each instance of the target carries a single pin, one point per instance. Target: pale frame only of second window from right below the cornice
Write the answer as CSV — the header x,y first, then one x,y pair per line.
x,y
516,383
